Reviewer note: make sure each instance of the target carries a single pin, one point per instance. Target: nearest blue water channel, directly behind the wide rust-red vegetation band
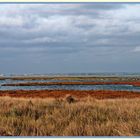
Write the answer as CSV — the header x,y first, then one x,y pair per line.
x,y
73,87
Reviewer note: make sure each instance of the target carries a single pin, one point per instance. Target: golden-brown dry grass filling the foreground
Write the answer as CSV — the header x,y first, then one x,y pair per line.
x,y
57,117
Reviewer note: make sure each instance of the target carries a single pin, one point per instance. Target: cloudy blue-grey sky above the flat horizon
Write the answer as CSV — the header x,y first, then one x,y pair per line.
x,y
67,38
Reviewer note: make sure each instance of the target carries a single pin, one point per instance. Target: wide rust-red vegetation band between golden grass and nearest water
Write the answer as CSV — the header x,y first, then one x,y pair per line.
x,y
98,94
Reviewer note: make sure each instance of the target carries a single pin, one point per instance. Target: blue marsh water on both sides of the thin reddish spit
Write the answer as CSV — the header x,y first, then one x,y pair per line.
x,y
66,87
